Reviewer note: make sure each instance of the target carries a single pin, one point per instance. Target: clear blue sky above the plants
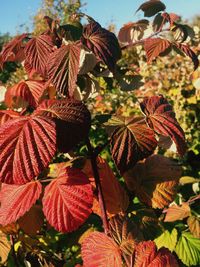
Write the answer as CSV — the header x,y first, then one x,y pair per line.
x,y
14,13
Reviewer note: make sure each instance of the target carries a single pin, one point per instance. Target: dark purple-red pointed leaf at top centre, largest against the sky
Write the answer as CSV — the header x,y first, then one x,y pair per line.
x,y
102,43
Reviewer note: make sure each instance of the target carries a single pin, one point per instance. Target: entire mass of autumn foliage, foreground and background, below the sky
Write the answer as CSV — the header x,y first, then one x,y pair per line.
x,y
61,186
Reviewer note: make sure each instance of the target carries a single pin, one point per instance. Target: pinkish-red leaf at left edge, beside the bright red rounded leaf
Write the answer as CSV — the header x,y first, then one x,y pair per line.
x,y
16,200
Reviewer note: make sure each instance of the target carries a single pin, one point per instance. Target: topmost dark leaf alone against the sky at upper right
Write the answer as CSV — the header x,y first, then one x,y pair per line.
x,y
151,7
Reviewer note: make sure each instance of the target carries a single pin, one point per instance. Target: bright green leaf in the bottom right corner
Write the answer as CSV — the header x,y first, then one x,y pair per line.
x,y
188,249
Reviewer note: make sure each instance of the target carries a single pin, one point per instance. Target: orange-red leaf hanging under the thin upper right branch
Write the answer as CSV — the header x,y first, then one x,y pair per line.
x,y
154,47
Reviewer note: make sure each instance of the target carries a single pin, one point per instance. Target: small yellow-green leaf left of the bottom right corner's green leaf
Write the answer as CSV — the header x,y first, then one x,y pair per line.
x,y
167,240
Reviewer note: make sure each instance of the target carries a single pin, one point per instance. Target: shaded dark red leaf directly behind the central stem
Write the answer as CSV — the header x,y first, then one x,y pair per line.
x,y
116,198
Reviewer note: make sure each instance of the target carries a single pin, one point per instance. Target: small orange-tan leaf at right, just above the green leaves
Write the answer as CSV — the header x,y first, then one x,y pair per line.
x,y
175,212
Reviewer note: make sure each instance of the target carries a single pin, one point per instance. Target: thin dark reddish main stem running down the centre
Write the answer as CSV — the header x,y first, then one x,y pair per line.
x,y
101,200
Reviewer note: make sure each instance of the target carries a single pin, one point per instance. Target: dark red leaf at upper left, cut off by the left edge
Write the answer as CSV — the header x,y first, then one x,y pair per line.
x,y
14,50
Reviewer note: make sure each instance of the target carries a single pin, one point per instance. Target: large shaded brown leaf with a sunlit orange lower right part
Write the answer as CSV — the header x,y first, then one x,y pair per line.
x,y
154,186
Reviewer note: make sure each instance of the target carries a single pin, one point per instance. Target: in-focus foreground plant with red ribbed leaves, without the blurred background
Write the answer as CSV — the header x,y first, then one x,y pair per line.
x,y
46,119
